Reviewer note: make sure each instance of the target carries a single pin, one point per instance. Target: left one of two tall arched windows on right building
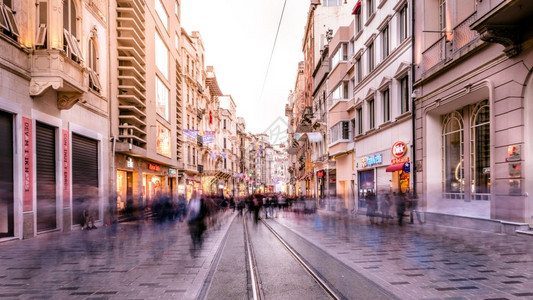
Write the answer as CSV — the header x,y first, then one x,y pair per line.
x,y
453,155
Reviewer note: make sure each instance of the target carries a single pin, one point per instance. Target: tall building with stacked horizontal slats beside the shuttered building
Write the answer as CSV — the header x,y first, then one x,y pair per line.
x,y
146,100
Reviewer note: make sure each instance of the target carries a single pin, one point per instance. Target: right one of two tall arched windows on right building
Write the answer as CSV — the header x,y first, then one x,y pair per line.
x,y
480,150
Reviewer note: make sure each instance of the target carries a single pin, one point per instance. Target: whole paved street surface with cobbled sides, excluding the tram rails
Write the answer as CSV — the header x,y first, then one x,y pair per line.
x,y
145,260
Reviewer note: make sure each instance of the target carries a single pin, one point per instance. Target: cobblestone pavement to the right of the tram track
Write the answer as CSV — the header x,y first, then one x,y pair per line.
x,y
424,261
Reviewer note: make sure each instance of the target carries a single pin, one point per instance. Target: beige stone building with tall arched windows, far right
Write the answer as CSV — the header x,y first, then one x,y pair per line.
x,y
473,111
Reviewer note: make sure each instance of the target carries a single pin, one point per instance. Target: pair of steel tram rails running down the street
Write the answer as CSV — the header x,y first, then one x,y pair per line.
x,y
254,276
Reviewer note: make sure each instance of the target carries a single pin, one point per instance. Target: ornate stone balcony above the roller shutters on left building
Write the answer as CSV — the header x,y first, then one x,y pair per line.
x,y
52,68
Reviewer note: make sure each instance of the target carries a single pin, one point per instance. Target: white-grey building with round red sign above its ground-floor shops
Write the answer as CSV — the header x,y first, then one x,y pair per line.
x,y
381,83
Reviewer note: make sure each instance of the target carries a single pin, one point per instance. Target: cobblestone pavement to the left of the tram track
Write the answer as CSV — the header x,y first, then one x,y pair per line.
x,y
138,260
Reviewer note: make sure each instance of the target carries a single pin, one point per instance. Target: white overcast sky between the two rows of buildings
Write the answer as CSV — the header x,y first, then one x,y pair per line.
x,y
238,37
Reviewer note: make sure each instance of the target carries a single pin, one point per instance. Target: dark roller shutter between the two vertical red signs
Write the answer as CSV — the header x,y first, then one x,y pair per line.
x,y
46,177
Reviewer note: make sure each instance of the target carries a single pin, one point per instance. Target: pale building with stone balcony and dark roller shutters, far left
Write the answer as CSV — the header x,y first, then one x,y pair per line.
x,y
54,106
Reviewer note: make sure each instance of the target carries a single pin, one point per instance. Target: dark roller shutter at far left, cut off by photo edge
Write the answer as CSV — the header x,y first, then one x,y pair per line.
x,y
6,176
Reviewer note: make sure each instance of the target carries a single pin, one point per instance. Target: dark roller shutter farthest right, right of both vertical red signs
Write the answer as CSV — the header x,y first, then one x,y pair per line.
x,y
84,176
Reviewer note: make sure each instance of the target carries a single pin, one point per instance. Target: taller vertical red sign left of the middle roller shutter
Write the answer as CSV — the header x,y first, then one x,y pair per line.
x,y
27,162
